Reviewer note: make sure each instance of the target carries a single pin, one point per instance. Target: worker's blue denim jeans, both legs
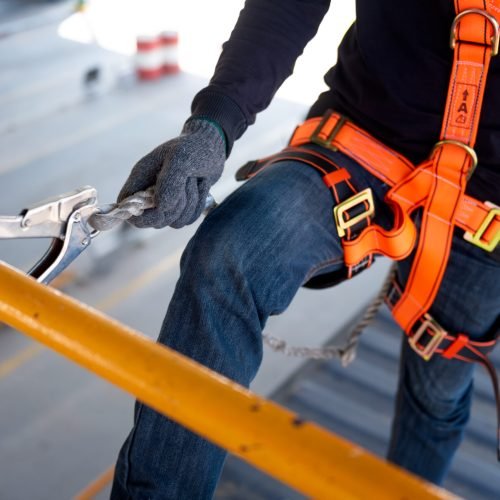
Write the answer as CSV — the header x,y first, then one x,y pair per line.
x,y
247,261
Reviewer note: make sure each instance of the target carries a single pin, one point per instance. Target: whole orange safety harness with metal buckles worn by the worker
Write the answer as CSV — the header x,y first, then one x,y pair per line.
x,y
436,187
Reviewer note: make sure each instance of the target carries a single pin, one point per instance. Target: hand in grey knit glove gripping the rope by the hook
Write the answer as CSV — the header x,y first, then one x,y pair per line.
x,y
182,171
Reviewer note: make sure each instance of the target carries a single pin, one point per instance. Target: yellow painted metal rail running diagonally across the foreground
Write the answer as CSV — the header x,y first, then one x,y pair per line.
x,y
301,454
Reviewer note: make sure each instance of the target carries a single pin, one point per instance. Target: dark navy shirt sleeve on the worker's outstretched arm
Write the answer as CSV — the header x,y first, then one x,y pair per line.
x,y
260,54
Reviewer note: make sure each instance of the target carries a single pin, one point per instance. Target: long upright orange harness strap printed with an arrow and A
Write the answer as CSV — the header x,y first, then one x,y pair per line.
x,y
452,163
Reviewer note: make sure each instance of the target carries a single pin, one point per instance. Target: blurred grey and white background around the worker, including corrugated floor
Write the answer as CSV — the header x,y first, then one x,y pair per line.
x,y
79,104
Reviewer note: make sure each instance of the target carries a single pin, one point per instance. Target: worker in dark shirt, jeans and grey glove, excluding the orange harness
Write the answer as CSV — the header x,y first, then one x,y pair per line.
x,y
276,232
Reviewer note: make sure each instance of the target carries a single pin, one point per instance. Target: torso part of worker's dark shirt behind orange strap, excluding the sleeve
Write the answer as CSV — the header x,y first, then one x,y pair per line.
x,y
392,78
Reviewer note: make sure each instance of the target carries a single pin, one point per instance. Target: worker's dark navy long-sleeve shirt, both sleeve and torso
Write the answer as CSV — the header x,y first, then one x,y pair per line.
x,y
391,77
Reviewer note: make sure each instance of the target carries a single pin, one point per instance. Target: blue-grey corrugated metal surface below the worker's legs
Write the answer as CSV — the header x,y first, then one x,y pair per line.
x,y
356,402
